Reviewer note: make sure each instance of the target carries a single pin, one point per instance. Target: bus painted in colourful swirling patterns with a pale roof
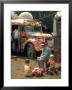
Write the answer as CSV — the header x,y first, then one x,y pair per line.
x,y
31,36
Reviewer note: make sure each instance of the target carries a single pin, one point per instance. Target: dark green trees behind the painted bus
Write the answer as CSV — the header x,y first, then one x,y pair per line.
x,y
45,16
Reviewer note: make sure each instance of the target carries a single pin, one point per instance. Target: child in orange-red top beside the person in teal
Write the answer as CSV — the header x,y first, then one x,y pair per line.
x,y
51,65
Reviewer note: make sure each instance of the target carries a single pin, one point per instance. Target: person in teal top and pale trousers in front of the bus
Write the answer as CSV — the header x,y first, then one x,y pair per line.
x,y
42,60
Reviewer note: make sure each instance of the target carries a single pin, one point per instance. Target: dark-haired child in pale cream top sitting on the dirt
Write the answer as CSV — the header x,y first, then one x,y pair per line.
x,y
27,69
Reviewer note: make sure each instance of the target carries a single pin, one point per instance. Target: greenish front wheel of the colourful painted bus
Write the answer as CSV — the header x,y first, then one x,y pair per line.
x,y
31,53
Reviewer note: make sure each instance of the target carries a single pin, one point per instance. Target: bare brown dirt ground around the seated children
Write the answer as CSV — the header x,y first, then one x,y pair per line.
x,y
17,70
